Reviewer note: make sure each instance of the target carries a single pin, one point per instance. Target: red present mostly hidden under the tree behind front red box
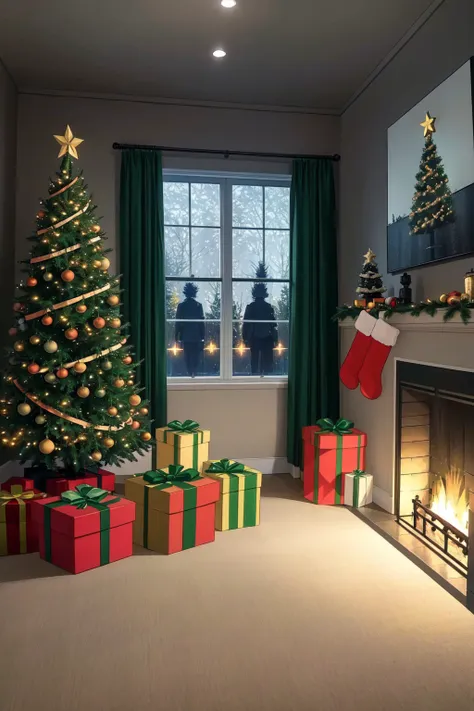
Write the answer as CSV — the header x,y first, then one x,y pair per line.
x,y
54,482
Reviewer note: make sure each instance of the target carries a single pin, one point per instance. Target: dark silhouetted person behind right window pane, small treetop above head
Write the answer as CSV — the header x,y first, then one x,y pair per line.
x,y
261,338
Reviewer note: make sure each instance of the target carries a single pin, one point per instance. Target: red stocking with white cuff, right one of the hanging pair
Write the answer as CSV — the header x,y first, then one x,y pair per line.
x,y
383,339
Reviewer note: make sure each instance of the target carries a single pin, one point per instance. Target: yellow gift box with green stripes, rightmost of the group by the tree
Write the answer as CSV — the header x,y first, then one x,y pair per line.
x,y
239,494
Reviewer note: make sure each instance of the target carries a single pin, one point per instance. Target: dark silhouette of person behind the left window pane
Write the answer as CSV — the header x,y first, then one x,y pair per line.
x,y
189,328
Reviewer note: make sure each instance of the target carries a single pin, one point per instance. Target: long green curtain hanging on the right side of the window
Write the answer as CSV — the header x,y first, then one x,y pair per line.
x,y
313,378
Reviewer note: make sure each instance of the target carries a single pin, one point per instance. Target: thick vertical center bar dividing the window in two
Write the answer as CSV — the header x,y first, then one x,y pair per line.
x,y
226,313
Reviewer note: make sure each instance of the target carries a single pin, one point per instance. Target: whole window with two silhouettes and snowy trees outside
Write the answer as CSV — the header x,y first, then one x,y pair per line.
x,y
227,250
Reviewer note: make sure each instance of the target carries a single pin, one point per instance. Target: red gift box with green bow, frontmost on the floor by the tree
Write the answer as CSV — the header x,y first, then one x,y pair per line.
x,y
84,528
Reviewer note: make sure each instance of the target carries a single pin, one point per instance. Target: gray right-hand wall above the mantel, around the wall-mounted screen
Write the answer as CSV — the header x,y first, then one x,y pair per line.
x,y
444,43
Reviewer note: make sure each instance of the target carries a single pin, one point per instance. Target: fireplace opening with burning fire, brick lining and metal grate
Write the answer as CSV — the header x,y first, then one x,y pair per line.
x,y
434,456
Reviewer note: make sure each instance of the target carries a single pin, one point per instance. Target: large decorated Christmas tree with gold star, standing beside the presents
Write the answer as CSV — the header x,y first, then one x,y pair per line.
x,y
70,392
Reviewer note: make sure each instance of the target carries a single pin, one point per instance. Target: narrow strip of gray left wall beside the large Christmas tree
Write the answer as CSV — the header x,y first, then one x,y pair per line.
x,y
8,116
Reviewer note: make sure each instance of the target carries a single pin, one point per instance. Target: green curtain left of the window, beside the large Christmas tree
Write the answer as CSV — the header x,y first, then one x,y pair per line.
x,y
142,259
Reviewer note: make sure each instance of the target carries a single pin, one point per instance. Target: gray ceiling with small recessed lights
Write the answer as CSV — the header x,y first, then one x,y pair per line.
x,y
312,54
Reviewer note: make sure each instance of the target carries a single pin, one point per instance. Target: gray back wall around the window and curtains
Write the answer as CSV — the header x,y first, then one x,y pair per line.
x,y
100,123
